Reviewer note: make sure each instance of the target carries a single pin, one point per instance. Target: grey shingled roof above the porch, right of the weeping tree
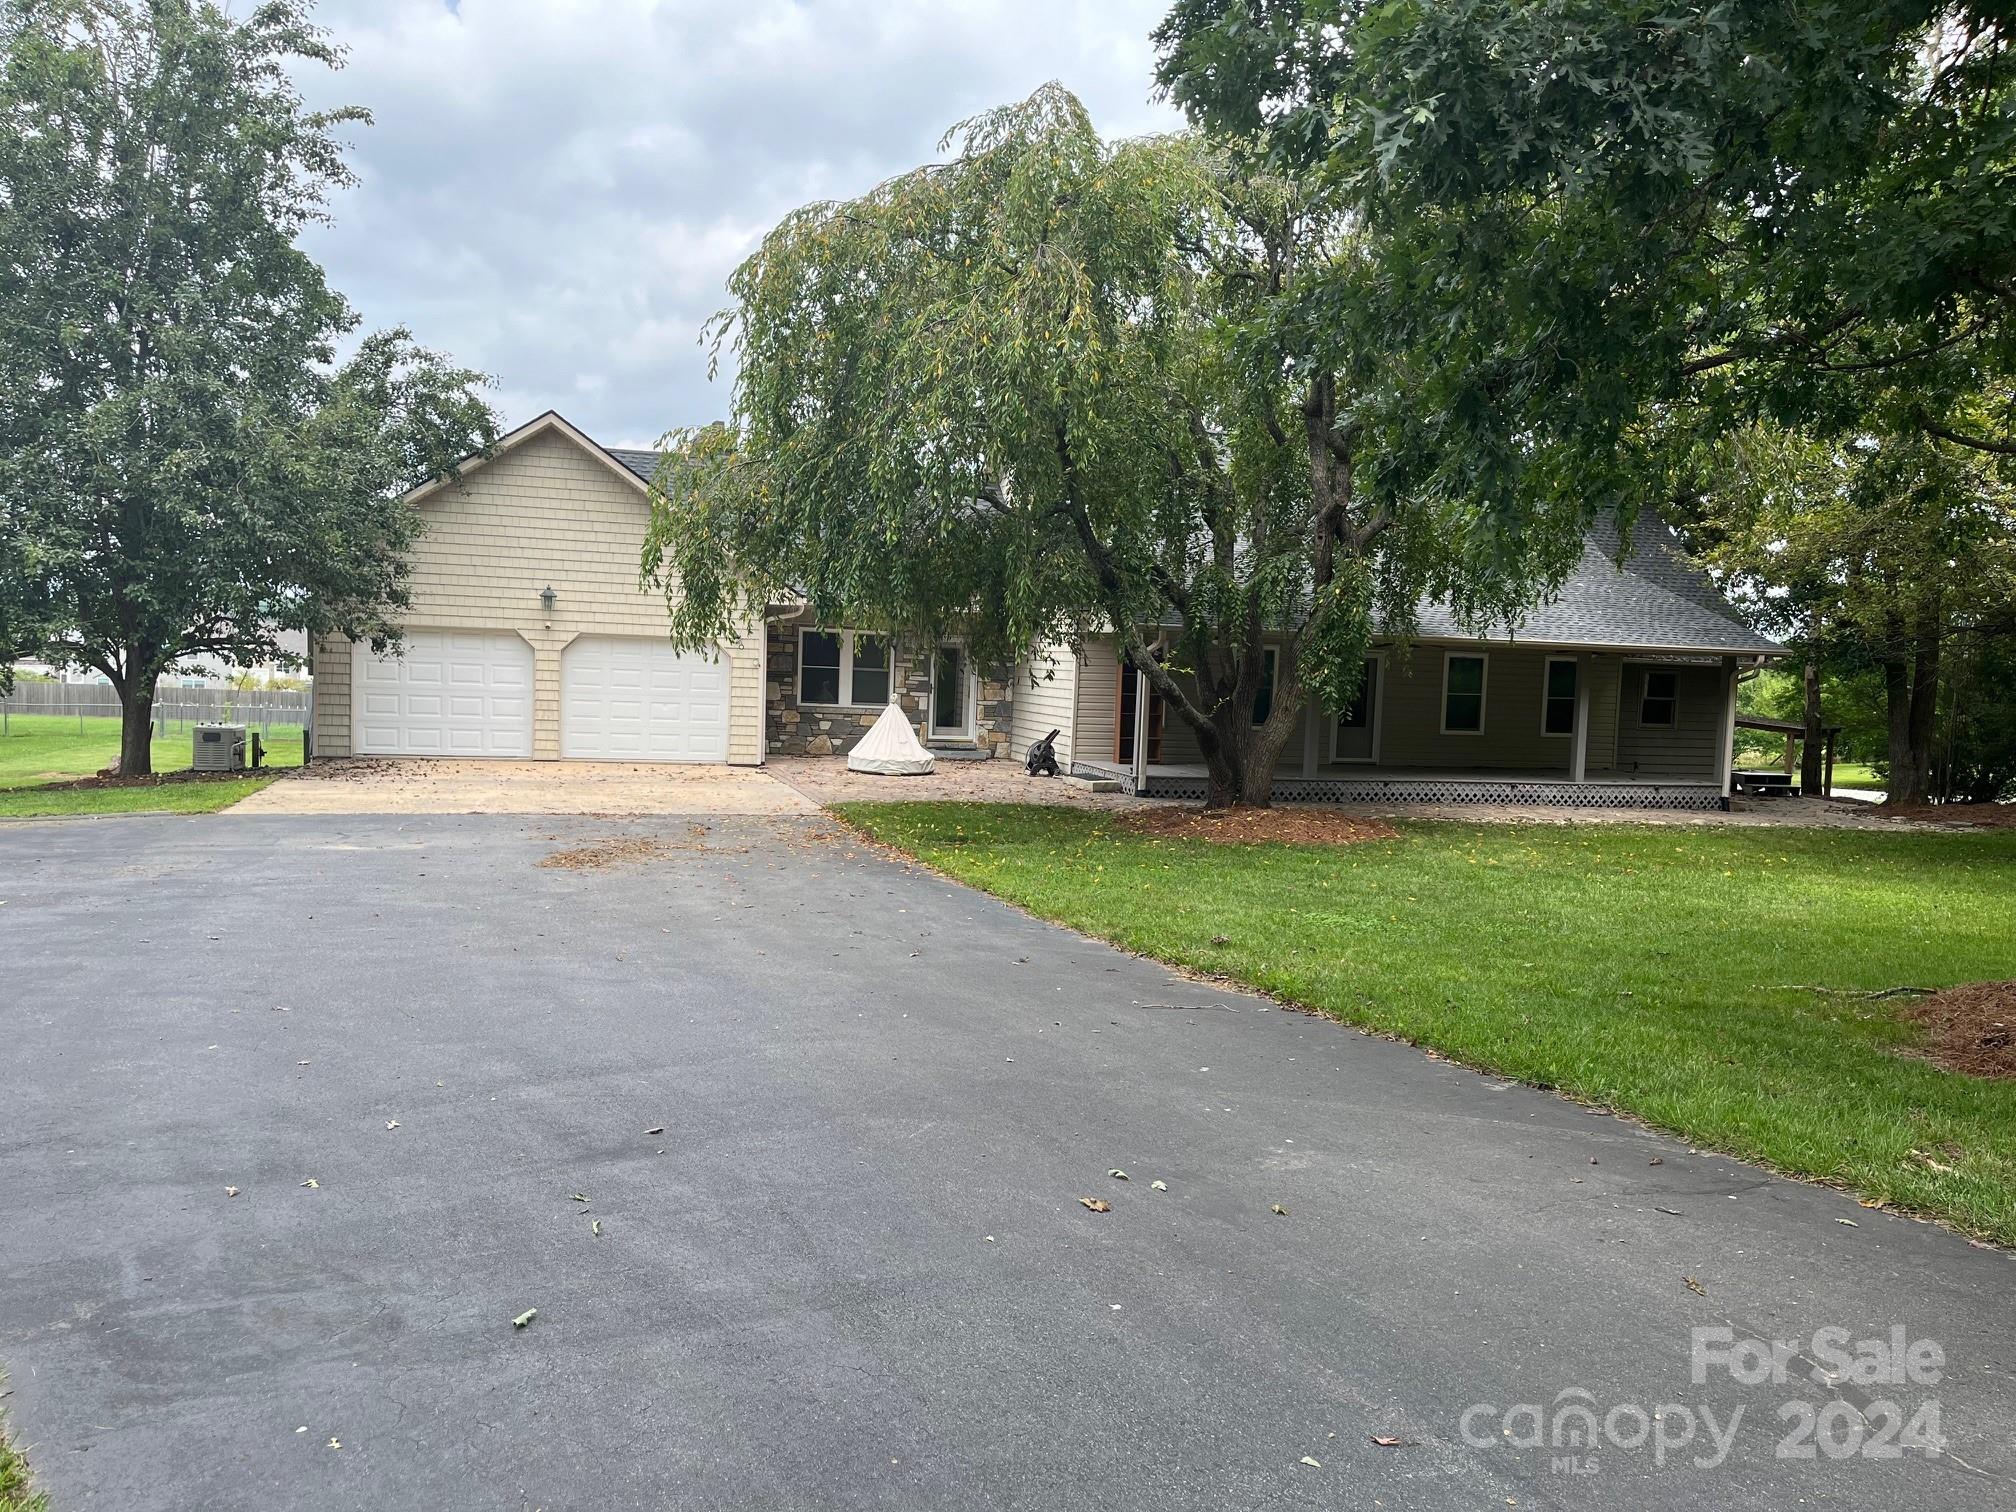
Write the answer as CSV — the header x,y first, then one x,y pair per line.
x,y
1656,602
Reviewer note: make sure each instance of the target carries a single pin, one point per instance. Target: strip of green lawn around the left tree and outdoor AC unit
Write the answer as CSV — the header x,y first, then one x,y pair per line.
x,y
41,751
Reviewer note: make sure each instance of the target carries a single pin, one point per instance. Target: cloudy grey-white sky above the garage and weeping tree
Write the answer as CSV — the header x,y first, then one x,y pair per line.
x,y
555,191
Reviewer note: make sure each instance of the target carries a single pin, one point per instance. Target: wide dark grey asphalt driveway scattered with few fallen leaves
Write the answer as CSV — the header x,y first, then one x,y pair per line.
x,y
834,1118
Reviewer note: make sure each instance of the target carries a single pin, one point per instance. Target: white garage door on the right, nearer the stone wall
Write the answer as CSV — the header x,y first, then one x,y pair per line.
x,y
636,701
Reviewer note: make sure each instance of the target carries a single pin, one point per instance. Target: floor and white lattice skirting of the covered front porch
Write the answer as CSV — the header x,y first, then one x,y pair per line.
x,y
1430,785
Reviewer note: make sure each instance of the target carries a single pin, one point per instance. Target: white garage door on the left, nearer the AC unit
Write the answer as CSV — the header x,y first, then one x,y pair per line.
x,y
453,695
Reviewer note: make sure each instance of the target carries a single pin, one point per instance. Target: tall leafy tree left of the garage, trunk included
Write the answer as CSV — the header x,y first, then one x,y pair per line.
x,y
184,469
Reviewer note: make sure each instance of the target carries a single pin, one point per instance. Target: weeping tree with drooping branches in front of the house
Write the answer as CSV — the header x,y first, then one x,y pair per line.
x,y
1053,388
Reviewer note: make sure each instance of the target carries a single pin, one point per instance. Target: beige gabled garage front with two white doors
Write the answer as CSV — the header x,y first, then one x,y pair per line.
x,y
527,634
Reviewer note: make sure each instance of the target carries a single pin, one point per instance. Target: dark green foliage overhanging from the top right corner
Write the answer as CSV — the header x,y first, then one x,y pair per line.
x,y
1610,219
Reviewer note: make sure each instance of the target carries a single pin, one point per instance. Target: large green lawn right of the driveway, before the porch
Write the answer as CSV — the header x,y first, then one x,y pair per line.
x,y
1656,971
